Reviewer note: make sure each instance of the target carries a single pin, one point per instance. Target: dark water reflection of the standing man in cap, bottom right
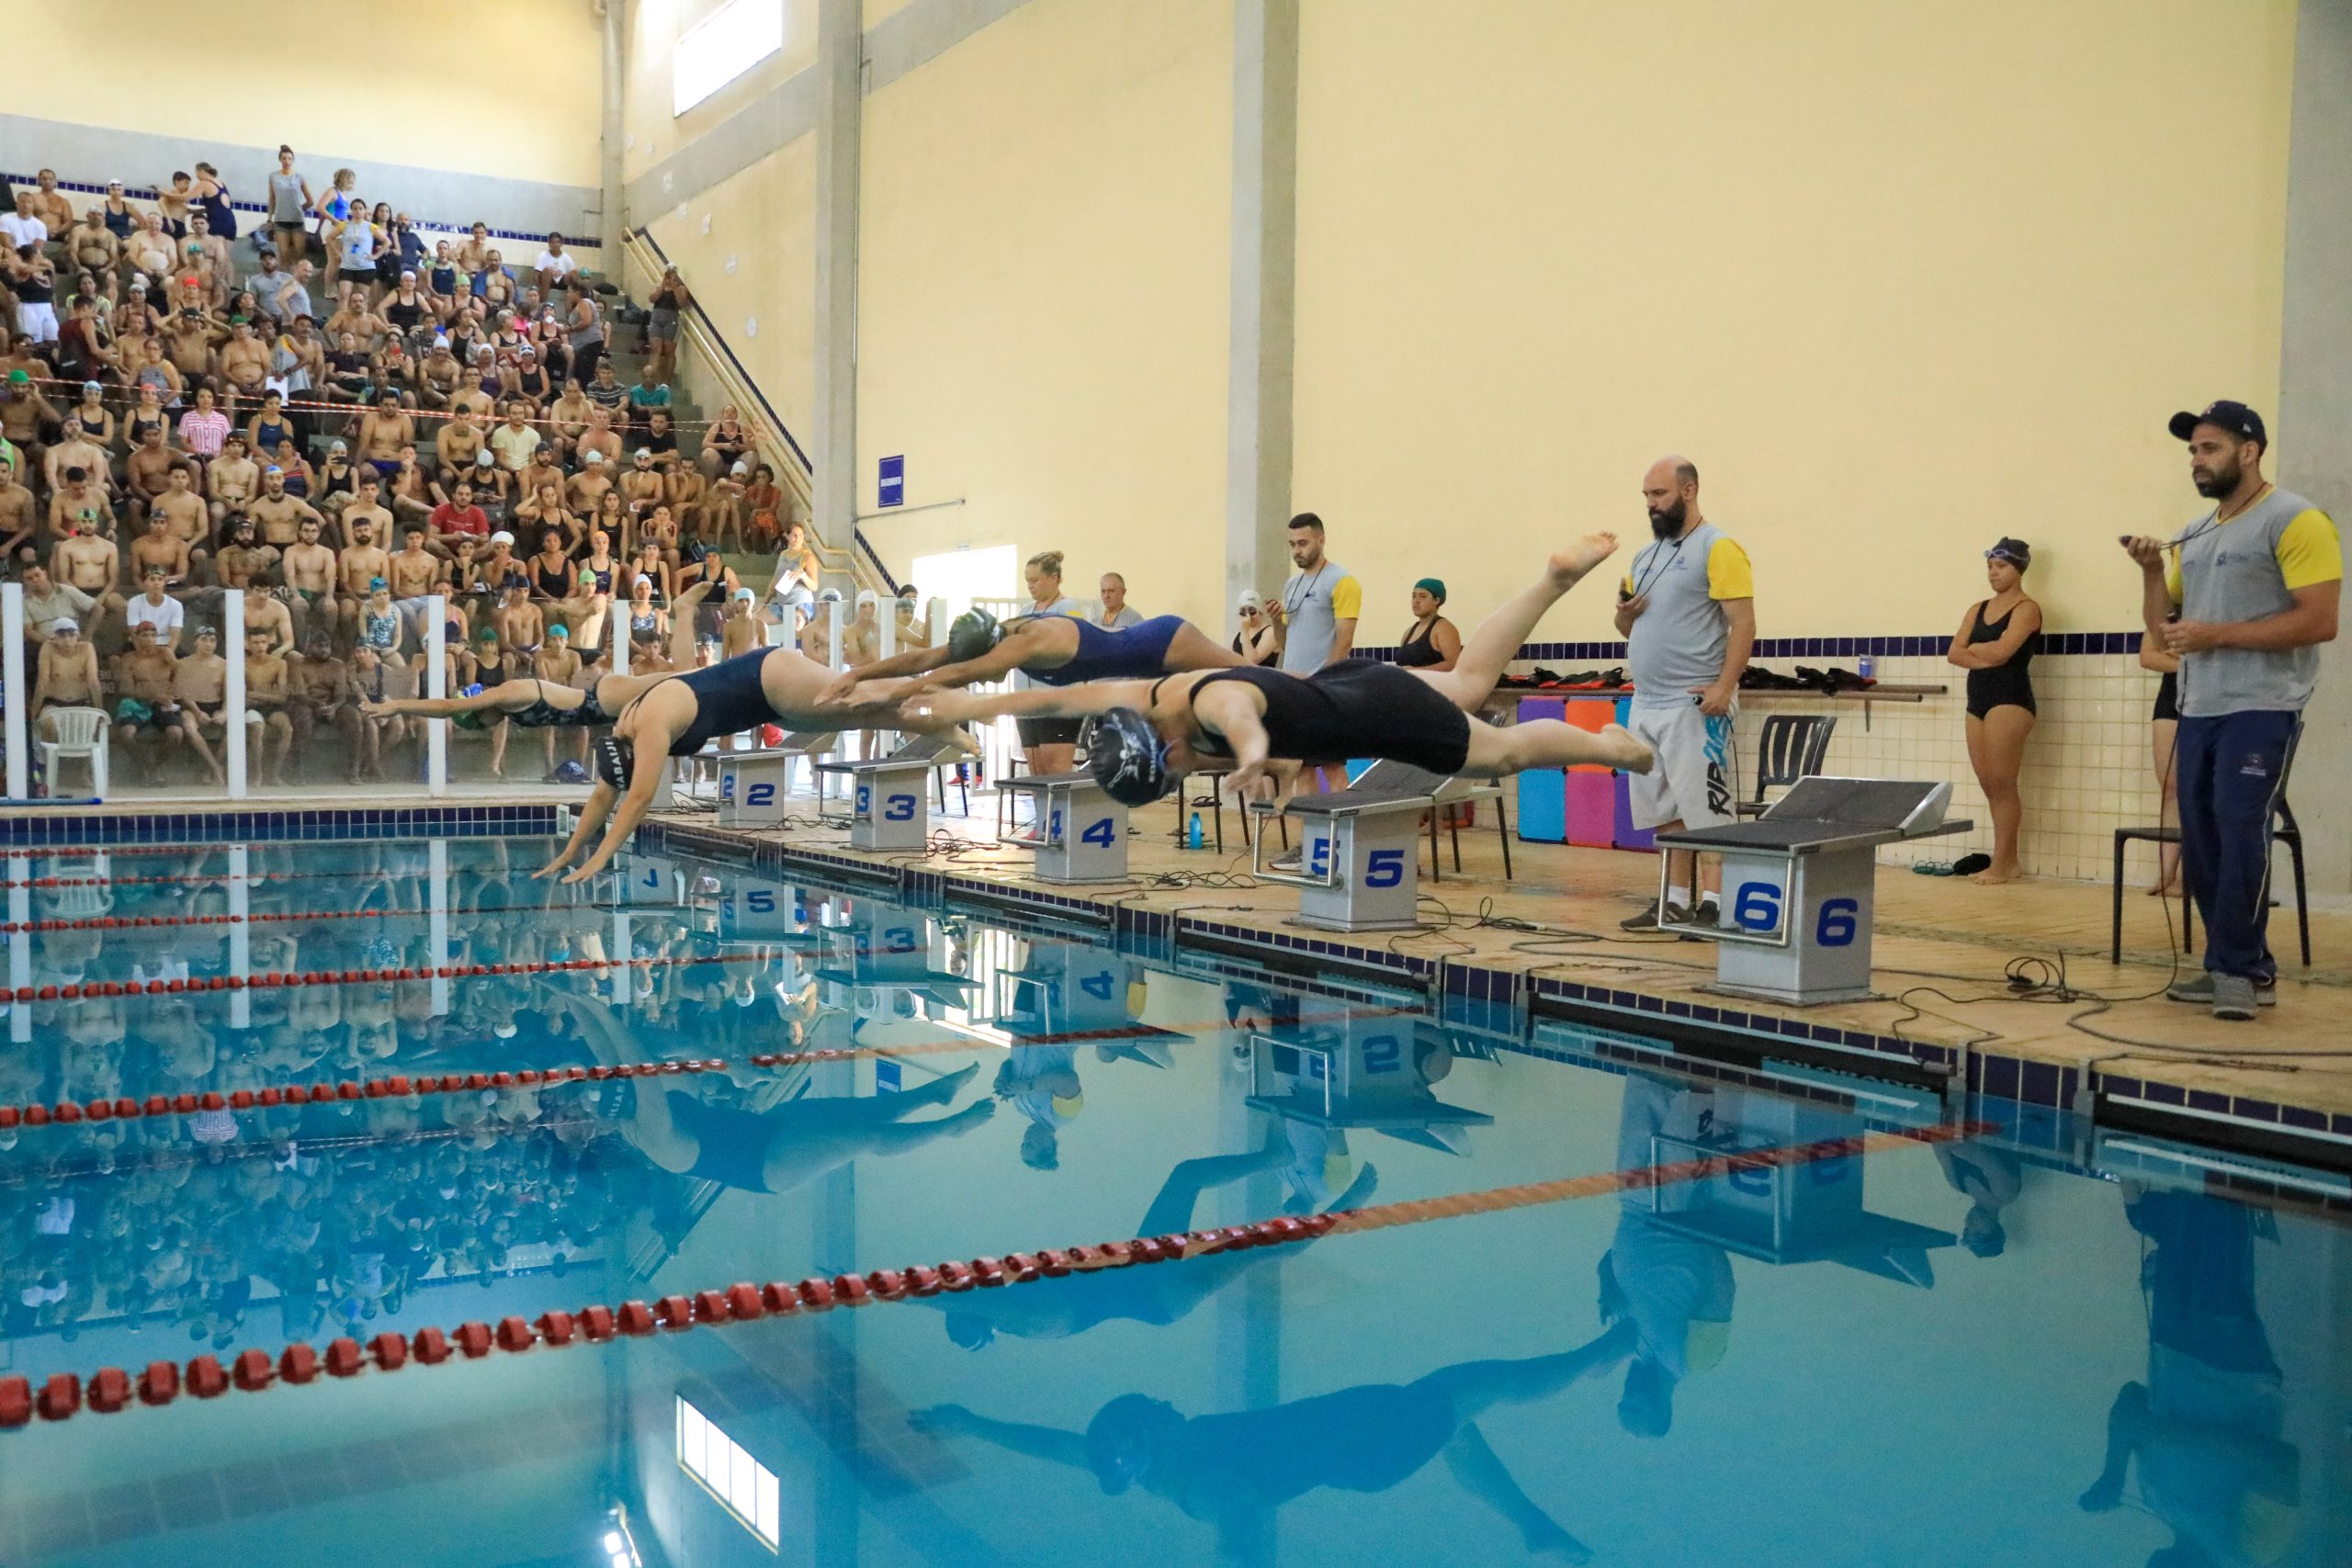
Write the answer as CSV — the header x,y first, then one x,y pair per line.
x,y
2205,1426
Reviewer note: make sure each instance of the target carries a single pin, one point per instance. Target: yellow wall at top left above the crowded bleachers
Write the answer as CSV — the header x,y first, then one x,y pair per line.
x,y
500,88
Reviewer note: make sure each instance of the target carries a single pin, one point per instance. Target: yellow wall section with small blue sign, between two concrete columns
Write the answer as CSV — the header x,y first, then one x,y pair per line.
x,y
1043,295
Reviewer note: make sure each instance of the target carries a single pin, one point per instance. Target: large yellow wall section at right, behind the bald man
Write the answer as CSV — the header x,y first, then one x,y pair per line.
x,y
1899,279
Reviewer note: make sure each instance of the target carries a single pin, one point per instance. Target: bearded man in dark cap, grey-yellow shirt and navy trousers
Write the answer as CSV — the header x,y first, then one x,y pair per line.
x,y
2243,598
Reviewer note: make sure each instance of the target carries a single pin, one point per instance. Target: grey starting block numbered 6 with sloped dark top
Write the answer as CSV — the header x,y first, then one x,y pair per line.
x,y
1800,880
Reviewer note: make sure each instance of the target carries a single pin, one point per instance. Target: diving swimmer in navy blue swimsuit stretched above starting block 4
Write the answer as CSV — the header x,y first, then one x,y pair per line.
x,y
1053,652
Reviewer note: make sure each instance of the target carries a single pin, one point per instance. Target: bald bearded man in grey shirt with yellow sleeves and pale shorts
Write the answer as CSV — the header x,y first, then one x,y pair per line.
x,y
1688,615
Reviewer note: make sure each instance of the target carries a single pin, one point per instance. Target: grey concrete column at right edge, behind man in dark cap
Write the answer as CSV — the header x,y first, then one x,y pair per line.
x,y
2316,394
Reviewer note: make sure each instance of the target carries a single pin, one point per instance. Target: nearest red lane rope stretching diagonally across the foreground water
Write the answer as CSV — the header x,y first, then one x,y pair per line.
x,y
112,1388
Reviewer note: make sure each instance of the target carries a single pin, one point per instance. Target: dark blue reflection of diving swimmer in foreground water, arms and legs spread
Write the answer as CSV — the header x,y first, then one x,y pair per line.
x,y
1361,1440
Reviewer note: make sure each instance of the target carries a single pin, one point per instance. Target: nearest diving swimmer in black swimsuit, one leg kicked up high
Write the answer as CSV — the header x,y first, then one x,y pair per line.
x,y
1264,723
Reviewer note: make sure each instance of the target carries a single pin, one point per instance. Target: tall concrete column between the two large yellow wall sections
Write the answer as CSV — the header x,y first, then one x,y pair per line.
x,y
1264,286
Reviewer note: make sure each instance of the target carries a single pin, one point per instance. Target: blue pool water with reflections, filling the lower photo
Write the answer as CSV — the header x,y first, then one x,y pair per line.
x,y
1989,1351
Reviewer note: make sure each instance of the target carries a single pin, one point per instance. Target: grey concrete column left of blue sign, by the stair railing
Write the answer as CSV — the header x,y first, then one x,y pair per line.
x,y
834,448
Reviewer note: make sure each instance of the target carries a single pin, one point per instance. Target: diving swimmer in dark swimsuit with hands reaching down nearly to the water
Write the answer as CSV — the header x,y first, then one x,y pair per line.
x,y
679,716
